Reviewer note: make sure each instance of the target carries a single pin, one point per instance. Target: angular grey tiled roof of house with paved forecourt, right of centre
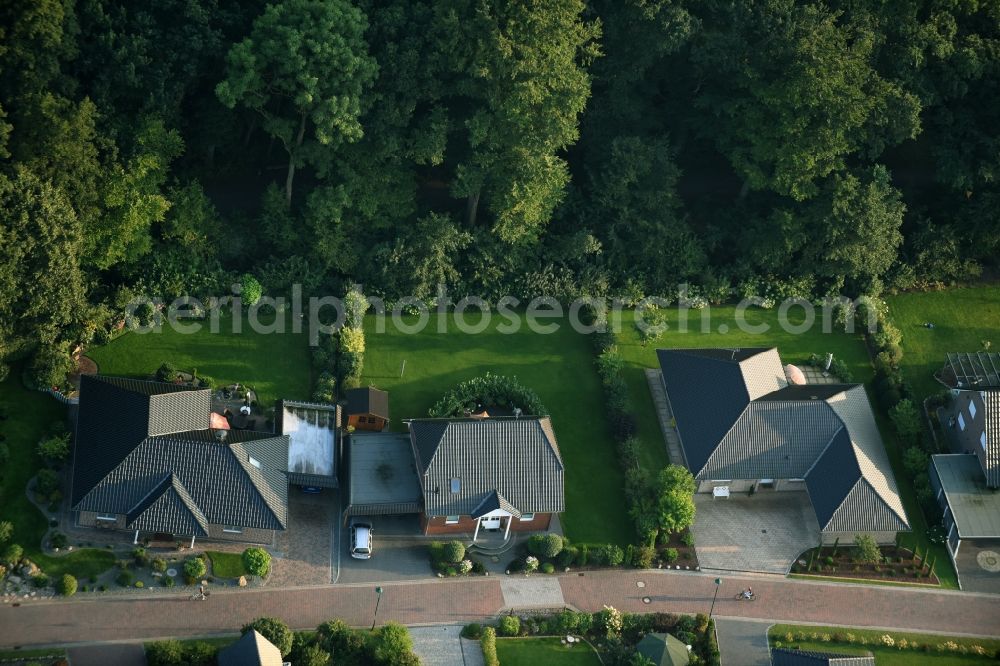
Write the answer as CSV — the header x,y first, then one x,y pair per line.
x,y
825,434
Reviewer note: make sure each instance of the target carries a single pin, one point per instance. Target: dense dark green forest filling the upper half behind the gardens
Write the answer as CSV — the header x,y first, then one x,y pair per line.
x,y
767,148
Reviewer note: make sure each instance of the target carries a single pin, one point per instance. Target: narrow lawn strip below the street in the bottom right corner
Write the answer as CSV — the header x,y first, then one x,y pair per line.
x,y
884,655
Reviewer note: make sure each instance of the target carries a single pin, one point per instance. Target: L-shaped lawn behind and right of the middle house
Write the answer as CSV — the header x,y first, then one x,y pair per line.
x,y
559,367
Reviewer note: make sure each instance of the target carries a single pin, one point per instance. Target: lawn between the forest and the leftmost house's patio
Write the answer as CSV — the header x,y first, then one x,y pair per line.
x,y
277,365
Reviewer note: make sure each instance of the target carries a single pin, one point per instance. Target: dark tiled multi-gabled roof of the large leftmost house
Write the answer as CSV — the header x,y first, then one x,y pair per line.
x,y
164,472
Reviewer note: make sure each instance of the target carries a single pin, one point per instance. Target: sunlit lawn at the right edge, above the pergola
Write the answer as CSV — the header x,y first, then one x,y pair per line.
x,y
963,319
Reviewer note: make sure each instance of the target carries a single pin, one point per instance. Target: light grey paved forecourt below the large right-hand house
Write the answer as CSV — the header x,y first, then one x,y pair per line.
x,y
762,533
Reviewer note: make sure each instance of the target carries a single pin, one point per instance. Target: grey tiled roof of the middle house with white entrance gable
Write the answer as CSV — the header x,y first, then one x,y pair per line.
x,y
515,459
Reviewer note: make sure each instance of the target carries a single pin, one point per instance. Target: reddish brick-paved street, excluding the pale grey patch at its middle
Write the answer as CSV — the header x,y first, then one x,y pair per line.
x,y
458,601
